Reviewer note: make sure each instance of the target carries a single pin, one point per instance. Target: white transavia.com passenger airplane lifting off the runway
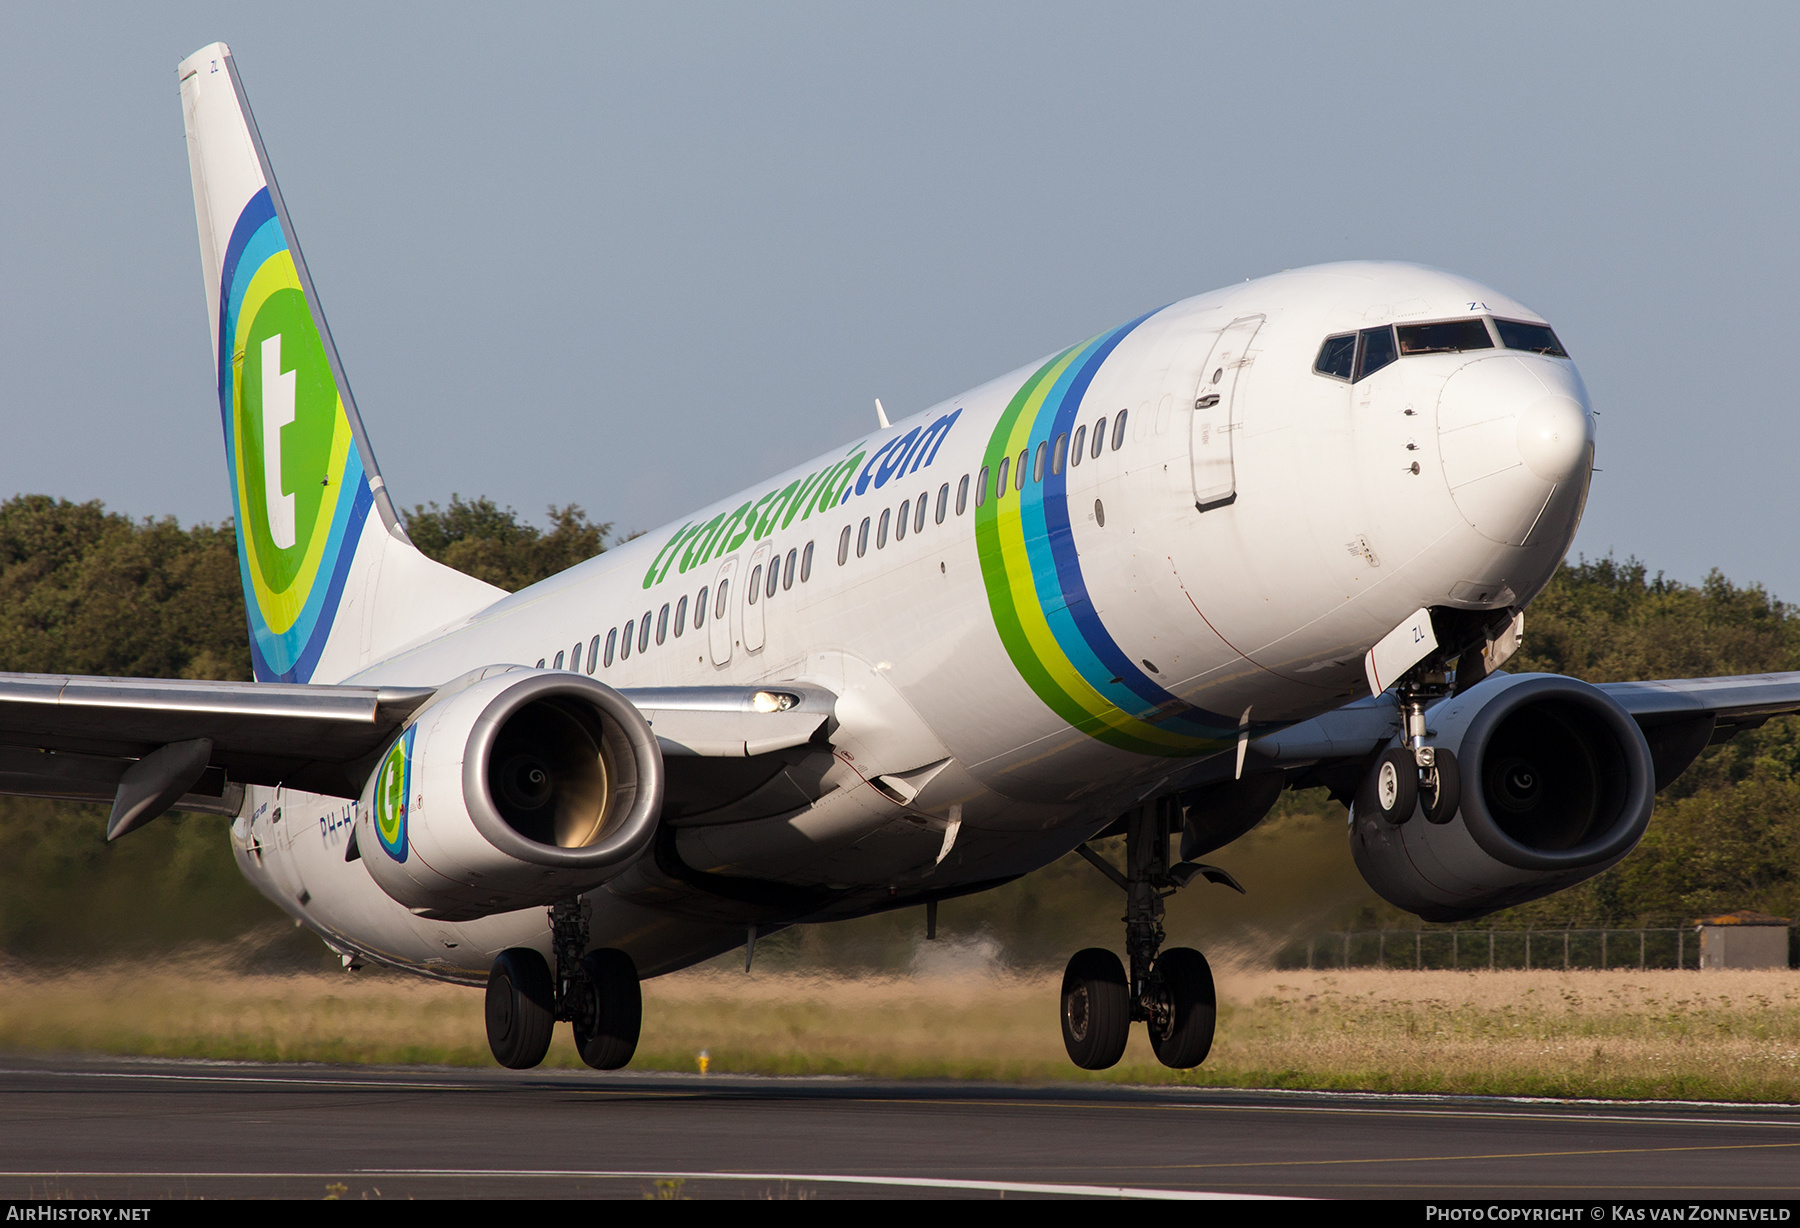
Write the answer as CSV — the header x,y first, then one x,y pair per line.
x,y
1272,537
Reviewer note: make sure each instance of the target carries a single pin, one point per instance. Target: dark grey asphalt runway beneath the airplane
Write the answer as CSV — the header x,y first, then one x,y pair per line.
x,y
134,1128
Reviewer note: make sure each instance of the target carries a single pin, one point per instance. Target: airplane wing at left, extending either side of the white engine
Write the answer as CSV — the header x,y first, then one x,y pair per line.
x,y
78,737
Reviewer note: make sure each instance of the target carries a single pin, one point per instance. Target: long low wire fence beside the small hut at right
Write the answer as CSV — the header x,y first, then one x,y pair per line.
x,y
1648,948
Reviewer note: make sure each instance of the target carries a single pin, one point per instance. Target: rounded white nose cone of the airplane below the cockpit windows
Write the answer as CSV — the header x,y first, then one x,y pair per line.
x,y
1516,440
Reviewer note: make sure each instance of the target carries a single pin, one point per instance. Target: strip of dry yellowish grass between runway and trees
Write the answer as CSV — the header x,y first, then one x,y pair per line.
x,y
1659,1034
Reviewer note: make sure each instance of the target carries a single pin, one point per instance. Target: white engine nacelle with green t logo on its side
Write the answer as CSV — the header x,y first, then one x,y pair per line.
x,y
512,793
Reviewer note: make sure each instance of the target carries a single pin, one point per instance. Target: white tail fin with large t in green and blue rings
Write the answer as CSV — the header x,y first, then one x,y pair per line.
x,y
328,586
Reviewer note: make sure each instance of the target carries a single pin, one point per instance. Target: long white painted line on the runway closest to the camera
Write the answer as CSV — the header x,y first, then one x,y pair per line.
x,y
633,1175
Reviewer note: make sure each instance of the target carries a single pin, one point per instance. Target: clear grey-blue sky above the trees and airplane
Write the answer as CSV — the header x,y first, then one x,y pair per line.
x,y
640,257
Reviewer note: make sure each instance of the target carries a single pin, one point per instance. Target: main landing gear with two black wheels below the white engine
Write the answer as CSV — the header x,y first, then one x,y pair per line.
x,y
597,993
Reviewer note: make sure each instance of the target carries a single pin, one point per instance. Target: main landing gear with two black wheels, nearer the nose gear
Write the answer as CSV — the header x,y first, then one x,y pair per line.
x,y
1169,991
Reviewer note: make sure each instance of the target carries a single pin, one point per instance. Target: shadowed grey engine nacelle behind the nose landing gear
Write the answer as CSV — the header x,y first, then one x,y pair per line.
x,y
1556,788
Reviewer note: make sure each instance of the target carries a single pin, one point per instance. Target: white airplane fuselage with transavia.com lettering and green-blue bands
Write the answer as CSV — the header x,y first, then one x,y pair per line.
x,y
989,673
